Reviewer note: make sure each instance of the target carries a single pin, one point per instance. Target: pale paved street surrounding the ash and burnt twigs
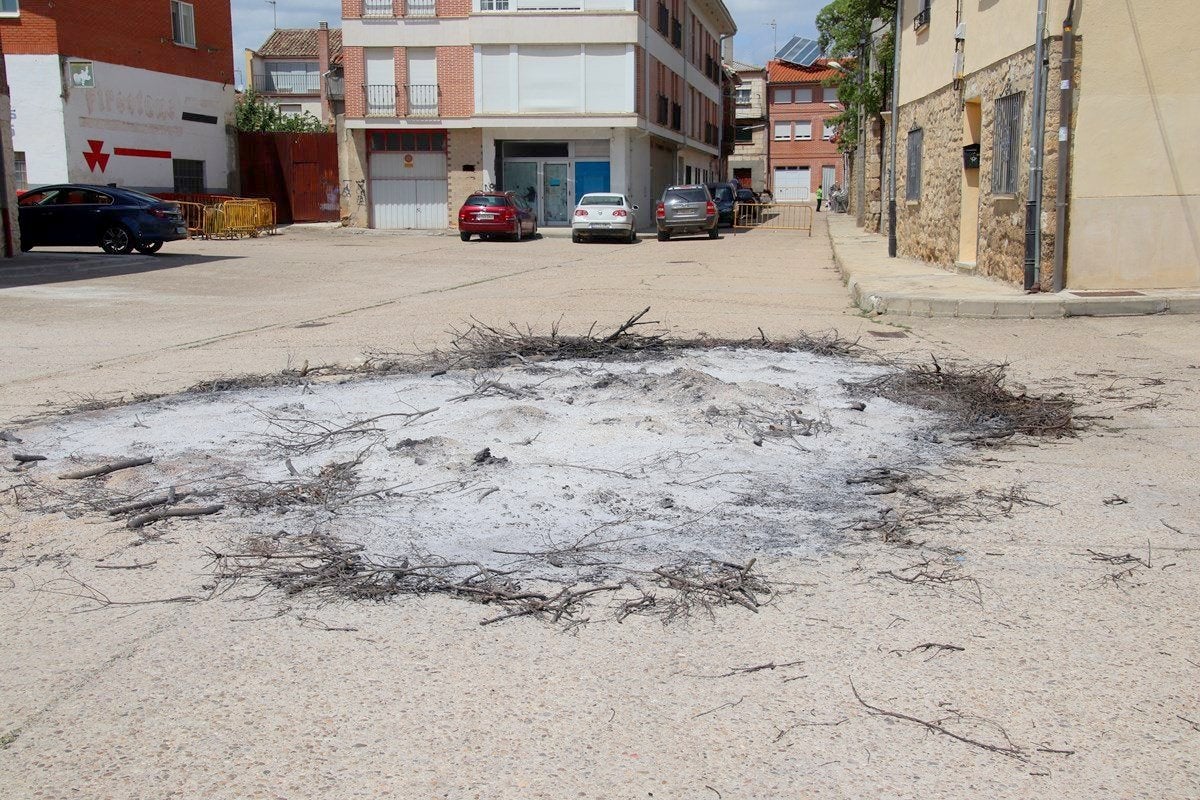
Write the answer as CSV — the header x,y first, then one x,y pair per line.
x,y
239,699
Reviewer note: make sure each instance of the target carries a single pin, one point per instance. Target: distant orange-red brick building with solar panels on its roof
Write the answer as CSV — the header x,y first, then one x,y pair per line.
x,y
802,153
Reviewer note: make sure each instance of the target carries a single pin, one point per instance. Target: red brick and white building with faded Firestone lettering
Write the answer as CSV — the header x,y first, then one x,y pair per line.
x,y
148,110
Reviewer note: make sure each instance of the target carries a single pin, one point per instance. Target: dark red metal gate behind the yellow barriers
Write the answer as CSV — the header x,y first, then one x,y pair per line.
x,y
297,171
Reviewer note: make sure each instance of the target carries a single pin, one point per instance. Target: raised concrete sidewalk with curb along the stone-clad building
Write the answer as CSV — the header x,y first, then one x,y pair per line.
x,y
913,288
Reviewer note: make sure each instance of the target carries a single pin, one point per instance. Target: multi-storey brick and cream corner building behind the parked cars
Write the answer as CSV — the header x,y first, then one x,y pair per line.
x,y
549,100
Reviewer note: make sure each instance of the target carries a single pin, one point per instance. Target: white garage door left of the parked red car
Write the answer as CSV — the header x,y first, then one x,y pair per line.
x,y
409,190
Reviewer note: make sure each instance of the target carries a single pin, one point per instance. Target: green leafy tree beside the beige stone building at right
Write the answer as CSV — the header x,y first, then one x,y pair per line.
x,y
859,31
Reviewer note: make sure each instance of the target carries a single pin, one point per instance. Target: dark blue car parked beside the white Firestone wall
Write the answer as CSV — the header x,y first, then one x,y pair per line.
x,y
118,220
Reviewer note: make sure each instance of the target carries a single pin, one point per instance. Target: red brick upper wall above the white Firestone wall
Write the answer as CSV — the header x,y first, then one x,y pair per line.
x,y
87,29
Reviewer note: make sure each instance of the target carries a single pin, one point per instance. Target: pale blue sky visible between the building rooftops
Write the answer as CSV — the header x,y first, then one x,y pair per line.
x,y
253,22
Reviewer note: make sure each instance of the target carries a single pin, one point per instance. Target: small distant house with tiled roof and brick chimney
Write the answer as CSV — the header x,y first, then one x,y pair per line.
x,y
301,71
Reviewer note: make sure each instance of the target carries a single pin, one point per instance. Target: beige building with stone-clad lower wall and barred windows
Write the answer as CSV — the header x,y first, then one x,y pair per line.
x,y
969,137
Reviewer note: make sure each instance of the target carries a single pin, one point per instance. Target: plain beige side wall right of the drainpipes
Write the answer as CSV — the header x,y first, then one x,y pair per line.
x,y
1136,181
